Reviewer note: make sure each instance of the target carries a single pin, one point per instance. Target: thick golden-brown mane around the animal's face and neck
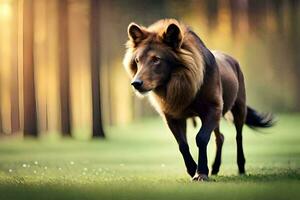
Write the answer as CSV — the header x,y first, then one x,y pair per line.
x,y
185,81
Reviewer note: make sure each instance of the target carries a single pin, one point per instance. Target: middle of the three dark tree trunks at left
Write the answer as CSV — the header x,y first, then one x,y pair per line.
x,y
65,105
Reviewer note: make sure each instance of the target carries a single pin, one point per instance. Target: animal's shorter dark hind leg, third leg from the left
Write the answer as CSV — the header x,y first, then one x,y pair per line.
x,y
219,143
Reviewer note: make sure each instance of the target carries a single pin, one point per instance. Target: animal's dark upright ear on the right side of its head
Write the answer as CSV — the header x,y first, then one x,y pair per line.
x,y
173,36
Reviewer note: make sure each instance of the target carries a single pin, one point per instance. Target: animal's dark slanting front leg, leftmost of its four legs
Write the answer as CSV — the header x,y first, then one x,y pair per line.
x,y
178,128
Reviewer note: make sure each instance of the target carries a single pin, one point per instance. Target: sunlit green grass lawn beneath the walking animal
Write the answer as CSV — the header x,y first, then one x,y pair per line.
x,y
142,161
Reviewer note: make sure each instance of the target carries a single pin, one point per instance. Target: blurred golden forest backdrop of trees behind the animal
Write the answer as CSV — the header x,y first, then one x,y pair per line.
x,y
61,59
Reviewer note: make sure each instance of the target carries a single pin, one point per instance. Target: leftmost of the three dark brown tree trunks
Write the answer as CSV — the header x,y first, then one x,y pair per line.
x,y
30,115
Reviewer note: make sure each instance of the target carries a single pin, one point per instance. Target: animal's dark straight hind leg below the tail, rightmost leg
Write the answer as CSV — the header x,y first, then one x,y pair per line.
x,y
239,114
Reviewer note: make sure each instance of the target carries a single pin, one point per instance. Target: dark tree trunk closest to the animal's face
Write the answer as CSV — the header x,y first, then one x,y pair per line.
x,y
95,68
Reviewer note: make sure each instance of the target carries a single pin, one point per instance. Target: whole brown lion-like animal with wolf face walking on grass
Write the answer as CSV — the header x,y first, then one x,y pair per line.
x,y
185,79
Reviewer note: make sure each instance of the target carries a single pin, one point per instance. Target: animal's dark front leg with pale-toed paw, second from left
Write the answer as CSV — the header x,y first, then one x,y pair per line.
x,y
209,123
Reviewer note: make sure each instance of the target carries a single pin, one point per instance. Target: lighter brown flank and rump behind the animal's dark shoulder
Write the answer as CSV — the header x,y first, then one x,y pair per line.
x,y
231,83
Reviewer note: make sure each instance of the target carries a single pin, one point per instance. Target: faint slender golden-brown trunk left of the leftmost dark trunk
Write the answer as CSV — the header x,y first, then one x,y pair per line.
x,y
15,119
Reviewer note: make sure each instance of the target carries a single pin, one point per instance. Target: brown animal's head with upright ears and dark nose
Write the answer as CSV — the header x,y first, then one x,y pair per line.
x,y
151,54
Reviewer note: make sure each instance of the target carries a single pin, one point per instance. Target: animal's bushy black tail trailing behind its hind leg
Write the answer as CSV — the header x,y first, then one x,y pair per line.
x,y
255,119
